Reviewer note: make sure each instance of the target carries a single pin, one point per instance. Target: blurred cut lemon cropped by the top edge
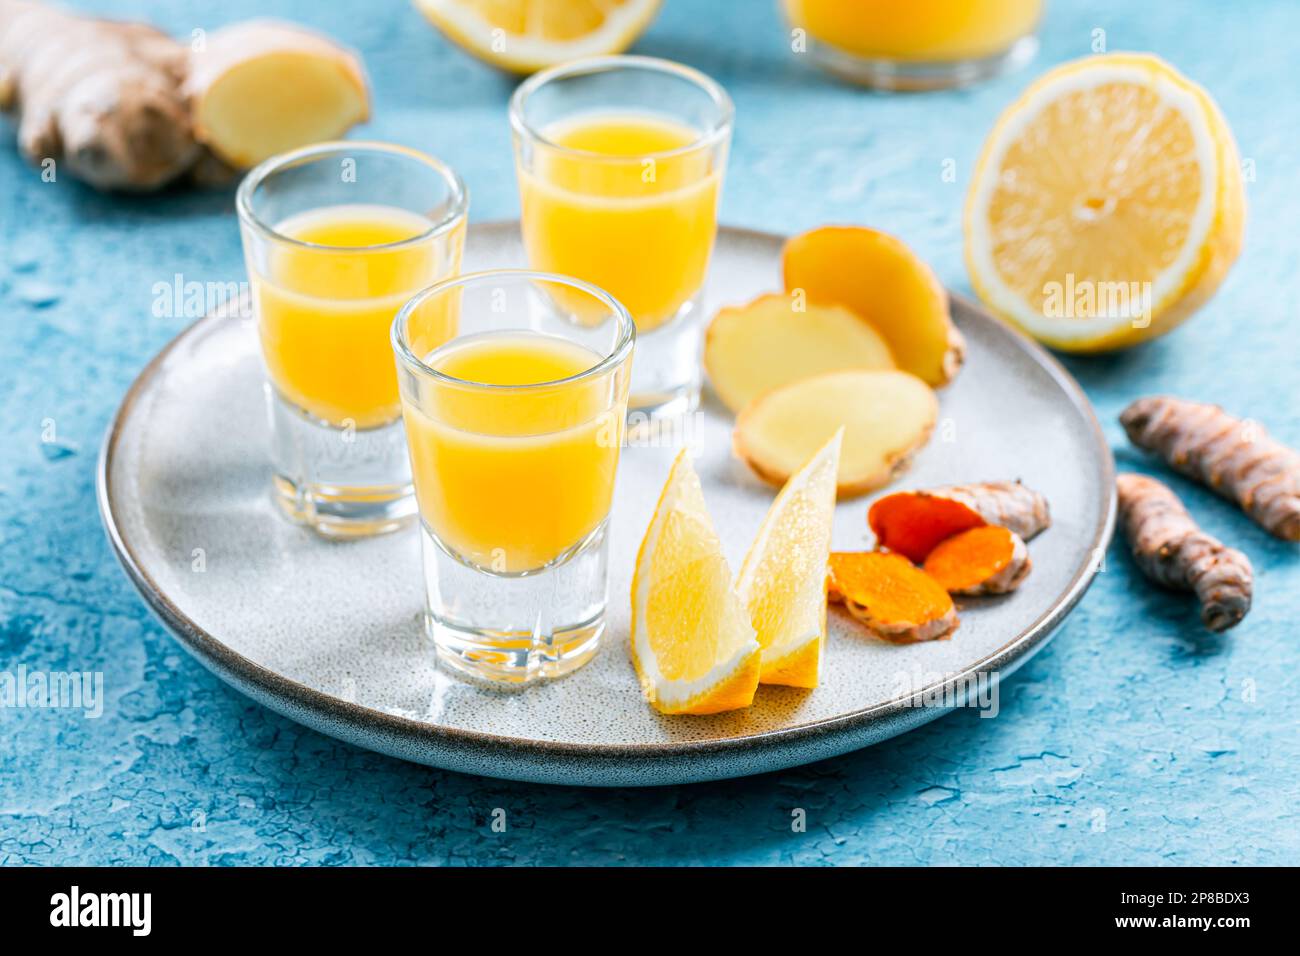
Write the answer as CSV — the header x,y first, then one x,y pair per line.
x,y
530,36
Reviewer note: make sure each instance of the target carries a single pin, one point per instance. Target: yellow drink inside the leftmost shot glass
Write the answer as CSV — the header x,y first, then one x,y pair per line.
x,y
327,301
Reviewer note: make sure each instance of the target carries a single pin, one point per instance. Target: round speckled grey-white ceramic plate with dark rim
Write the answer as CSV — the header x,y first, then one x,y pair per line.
x,y
330,633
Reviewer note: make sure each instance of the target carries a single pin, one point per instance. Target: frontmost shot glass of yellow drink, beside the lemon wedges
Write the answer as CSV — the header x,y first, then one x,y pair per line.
x,y
514,429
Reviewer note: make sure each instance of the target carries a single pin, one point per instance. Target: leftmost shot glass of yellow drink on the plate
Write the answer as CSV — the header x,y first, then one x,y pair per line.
x,y
337,239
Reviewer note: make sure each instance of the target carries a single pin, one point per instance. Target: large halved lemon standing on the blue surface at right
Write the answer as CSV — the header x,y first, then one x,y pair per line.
x,y
1107,206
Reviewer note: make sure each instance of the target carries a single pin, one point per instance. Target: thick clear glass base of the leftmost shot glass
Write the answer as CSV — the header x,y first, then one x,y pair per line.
x,y
339,482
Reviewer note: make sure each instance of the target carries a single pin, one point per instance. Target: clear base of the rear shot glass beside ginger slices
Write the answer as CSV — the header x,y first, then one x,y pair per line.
x,y
666,367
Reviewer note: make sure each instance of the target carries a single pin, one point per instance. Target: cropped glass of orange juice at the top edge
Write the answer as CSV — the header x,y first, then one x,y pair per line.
x,y
917,45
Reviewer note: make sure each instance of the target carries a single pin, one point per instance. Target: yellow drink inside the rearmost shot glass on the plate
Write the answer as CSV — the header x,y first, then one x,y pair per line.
x,y
627,205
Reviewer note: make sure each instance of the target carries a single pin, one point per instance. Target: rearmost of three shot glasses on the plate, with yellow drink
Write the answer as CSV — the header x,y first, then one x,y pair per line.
x,y
621,167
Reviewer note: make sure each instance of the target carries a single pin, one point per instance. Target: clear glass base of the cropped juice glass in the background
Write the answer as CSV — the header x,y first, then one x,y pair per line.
x,y
920,76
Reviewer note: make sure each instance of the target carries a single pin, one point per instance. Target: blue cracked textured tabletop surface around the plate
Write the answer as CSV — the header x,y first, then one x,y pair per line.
x,y
1133,739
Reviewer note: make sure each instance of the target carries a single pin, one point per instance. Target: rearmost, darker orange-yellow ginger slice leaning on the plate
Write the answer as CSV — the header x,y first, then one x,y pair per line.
x,y
877,276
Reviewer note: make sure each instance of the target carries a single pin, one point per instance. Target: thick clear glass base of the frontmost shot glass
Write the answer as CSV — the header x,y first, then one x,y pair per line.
x,y
517,629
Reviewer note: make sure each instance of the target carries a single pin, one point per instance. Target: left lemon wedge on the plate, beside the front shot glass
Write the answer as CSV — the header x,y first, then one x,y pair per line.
x,y
692,643
